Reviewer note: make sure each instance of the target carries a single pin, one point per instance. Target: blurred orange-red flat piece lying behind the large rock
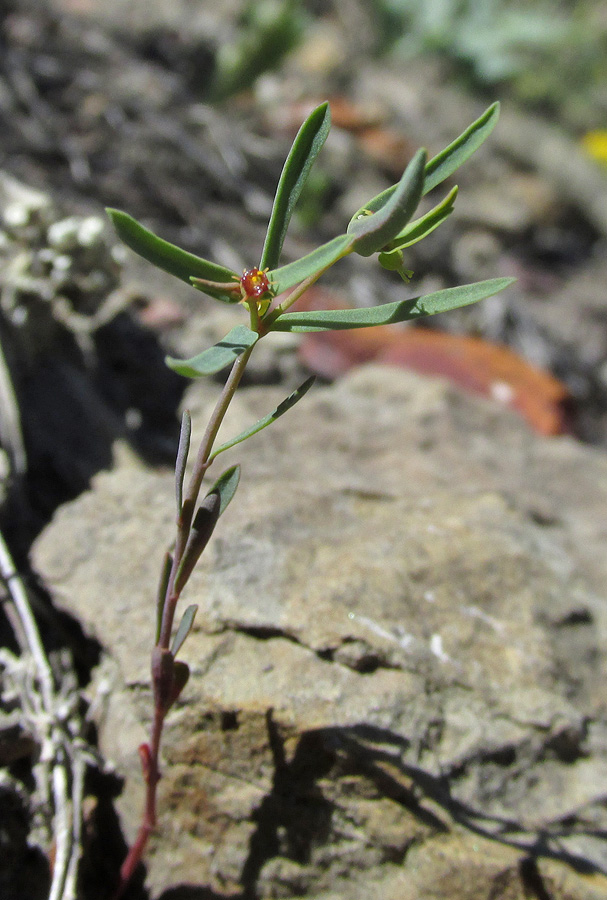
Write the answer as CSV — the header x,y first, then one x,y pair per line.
x,y
473,364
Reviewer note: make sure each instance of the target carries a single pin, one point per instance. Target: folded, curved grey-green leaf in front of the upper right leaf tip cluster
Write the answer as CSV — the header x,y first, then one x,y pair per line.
x,y
372,232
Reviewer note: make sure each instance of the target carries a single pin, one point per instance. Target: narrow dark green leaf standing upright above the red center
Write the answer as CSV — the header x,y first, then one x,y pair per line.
x,y
306,147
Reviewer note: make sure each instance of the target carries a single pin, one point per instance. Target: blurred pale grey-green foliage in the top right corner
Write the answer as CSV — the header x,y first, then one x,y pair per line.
x,y
549,55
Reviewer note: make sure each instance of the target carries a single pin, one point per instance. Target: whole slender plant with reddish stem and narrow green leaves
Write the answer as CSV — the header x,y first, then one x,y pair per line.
x,y
384,226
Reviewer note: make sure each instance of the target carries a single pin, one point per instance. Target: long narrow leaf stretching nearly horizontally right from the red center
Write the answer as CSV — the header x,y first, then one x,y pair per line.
x,y
389,313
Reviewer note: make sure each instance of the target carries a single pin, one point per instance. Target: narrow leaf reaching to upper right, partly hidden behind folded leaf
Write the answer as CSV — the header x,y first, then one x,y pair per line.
x,y
446,162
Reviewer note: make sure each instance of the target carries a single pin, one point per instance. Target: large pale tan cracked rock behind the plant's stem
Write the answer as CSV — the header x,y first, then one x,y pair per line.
x,y
399,659
